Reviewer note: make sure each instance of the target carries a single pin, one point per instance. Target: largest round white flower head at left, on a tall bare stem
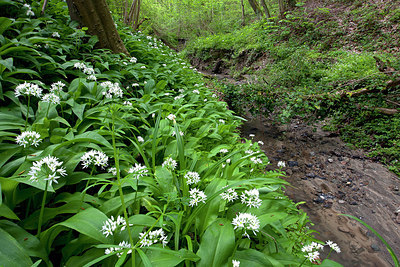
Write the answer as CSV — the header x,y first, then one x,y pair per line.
x,y
49,168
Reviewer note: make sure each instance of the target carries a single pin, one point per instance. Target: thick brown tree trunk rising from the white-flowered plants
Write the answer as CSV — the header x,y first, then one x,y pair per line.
x,y
95,15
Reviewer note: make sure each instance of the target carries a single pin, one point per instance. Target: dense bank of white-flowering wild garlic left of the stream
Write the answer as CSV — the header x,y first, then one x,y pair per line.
x,y
128,159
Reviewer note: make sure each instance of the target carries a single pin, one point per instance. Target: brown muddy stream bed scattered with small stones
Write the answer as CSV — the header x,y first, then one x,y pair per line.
x,y
333,179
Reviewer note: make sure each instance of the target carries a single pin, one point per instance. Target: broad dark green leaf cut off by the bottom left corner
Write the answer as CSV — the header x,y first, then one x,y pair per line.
x,y
11,252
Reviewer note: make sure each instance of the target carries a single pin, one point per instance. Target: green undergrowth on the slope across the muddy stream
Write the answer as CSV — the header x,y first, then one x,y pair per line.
x,y
312,64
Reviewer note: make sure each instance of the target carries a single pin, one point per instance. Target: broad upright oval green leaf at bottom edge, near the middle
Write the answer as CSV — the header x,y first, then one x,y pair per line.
x,y
217,244
